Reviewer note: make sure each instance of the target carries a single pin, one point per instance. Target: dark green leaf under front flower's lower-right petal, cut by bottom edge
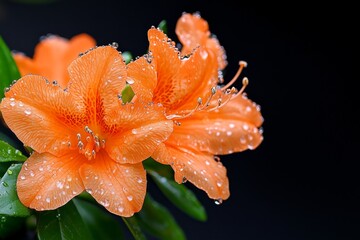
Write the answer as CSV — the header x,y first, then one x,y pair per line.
x,y
99,222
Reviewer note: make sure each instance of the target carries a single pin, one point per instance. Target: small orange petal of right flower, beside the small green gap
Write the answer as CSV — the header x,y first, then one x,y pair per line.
x,y
144,77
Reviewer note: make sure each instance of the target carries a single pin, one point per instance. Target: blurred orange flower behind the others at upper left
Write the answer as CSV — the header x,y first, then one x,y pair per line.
x,y
53,55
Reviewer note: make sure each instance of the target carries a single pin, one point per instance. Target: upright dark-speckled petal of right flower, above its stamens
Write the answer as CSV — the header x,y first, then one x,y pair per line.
x,y
180,81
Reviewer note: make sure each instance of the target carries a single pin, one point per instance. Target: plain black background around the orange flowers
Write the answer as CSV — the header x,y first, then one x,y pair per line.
x,y
302,182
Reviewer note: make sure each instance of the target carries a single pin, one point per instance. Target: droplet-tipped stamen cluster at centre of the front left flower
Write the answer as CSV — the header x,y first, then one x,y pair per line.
x,y
89,143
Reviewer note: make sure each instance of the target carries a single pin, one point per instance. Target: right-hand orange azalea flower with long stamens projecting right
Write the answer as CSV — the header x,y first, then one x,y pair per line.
x,y
204,124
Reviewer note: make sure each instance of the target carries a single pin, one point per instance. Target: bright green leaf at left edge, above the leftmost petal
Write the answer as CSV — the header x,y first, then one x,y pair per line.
x,y
8,68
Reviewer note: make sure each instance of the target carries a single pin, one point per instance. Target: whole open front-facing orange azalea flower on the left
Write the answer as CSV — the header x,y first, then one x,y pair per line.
x,y
84,137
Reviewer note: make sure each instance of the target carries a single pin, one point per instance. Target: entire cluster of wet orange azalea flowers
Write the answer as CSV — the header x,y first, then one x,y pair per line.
x,y
69,109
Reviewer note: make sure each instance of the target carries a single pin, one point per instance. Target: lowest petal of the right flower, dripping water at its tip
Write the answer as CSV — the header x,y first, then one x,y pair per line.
x,y
199,168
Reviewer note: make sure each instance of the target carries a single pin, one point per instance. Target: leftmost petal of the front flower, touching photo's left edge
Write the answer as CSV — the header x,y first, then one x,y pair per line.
x,y
41,115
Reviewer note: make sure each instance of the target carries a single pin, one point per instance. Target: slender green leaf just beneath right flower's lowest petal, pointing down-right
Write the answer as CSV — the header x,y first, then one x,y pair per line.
x,y
180,196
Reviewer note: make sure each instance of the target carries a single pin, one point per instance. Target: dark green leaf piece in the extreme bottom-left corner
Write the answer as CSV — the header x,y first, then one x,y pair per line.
x,y
12,227
